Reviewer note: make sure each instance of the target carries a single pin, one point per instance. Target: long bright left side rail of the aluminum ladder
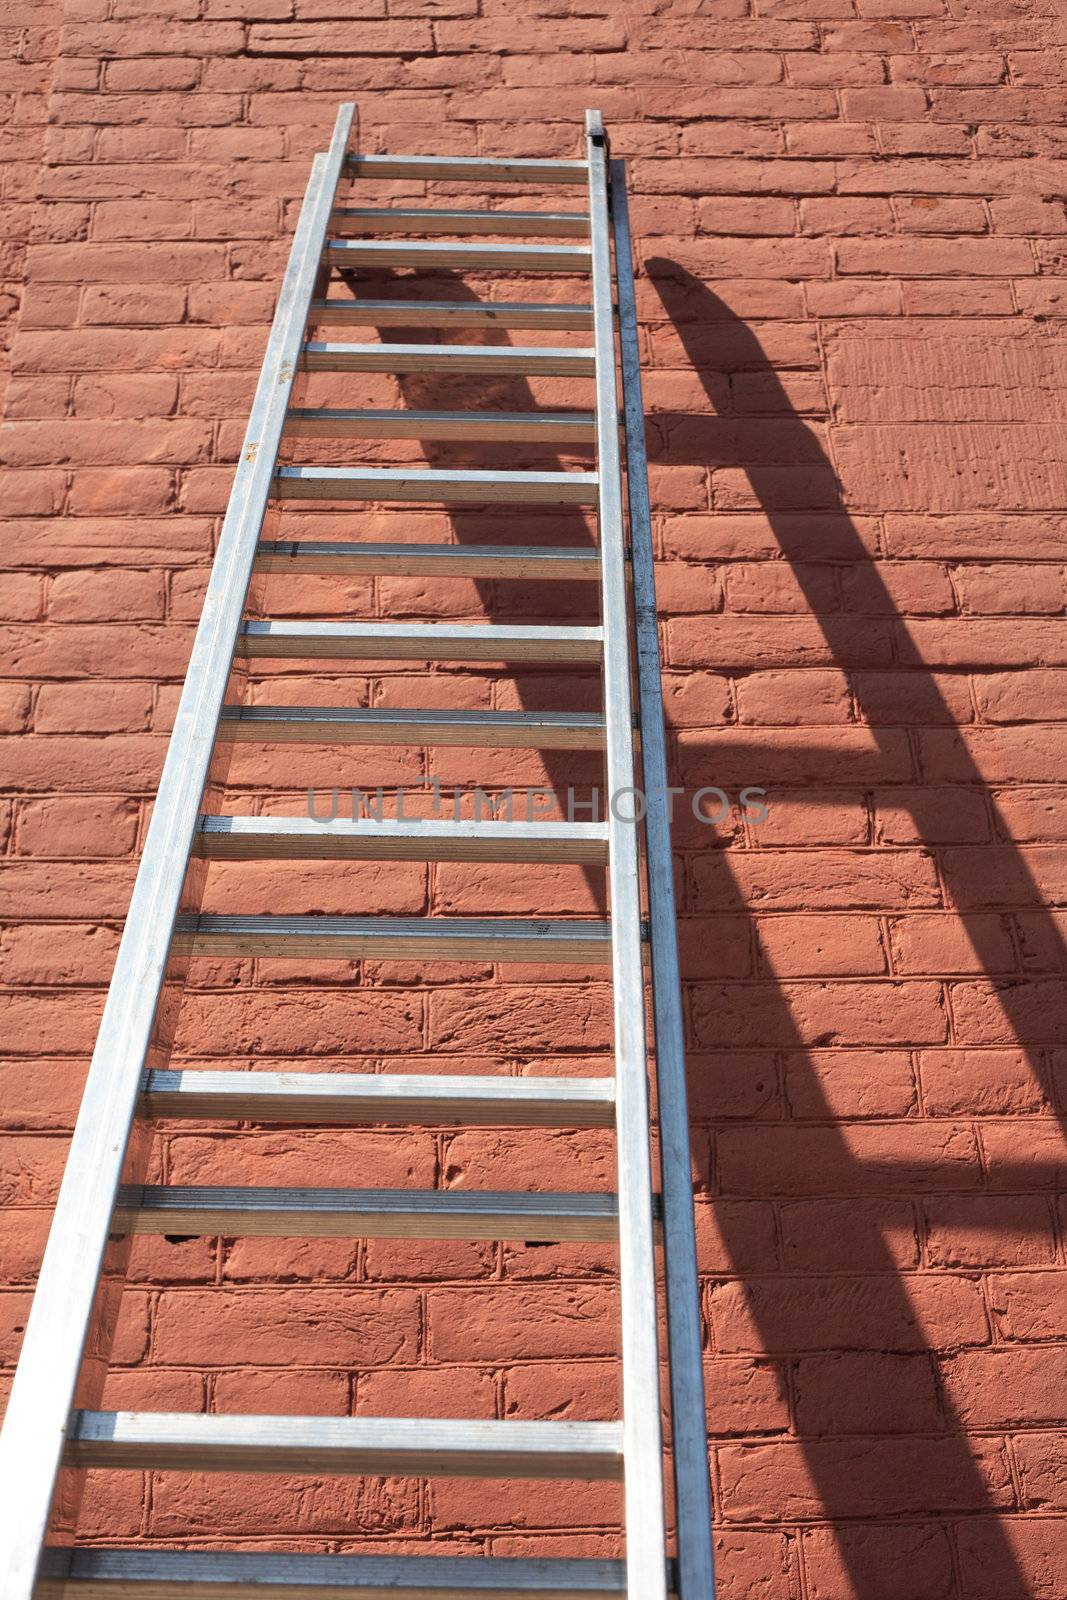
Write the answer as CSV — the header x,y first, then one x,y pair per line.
x,y
63,1313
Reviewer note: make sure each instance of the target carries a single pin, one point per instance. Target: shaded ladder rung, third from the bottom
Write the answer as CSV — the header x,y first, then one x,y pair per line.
x,y
366,1214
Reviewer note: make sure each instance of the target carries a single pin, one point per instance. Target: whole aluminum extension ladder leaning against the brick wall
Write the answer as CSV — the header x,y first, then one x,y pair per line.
x,y
54,1428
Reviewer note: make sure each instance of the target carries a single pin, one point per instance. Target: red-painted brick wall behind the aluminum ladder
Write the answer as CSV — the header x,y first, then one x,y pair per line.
x,y
852,222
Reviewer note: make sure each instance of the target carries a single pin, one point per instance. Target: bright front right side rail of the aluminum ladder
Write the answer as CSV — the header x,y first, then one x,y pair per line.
x,y
645,1529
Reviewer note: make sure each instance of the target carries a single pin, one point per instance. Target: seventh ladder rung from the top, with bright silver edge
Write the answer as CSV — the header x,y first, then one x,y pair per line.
x,y
431,487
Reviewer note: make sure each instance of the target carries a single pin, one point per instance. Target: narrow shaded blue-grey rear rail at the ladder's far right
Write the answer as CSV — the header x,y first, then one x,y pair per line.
x,y
693,1502
